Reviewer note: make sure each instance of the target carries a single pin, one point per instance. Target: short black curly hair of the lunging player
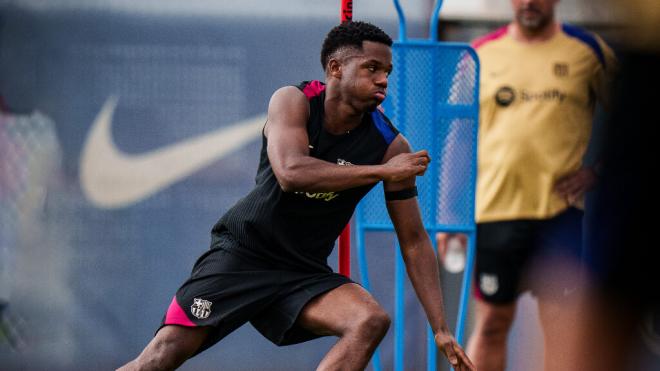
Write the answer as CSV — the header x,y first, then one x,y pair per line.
x,y
351,34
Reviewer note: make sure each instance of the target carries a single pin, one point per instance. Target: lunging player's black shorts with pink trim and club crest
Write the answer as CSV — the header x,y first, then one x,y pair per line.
x,y
225,291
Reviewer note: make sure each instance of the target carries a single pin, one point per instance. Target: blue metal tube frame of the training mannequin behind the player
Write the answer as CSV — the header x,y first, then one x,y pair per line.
x,y
469,229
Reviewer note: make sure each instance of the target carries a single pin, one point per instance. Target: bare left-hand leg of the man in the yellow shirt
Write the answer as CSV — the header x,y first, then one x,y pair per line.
x,y
487,345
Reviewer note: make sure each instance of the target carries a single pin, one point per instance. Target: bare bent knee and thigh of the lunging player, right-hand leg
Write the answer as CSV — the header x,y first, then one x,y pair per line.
x,y
353,315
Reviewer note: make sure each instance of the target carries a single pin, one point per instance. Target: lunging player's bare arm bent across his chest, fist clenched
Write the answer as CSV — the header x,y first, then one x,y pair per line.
x,y
296,170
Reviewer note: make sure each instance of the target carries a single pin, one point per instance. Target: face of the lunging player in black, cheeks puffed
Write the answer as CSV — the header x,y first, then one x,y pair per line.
x,y
366,74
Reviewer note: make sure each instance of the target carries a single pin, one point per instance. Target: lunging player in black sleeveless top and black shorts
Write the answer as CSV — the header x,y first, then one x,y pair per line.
x,y
325,145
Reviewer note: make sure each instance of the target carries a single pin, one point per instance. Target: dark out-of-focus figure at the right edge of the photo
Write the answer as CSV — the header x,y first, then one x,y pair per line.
x,y
619,327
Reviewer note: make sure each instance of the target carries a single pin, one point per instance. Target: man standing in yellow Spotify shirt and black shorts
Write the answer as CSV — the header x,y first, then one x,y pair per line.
x,y
540,82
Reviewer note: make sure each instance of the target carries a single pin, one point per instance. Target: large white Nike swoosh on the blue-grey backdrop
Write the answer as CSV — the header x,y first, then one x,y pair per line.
x,y
113,179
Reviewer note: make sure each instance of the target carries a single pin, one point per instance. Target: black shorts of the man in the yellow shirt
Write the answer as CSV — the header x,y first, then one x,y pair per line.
x,y
518,255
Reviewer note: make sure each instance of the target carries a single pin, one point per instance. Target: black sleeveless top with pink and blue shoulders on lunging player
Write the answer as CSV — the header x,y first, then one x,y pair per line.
x,y
297,230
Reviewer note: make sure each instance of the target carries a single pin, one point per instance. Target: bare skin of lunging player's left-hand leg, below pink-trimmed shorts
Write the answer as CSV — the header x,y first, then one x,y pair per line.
x,y
171,346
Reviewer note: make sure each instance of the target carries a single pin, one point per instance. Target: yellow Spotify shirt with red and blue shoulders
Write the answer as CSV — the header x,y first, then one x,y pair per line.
x,y
536,109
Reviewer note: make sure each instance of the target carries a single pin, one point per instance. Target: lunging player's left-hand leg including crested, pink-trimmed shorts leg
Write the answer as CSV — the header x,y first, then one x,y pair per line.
x,y
222,293
